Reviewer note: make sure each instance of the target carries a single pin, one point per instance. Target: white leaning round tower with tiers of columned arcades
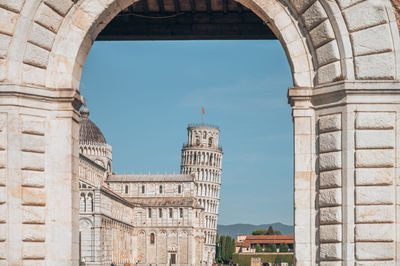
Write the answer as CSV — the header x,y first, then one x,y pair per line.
x,y
202,156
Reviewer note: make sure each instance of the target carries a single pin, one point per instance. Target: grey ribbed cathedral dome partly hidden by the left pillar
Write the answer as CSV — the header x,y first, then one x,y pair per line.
x,y
89,132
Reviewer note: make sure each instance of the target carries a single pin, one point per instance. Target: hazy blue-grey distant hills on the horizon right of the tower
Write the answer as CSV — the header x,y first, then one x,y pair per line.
x,y
245,229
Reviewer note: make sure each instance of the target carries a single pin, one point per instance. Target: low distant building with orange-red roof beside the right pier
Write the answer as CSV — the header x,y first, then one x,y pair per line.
x,y
248,243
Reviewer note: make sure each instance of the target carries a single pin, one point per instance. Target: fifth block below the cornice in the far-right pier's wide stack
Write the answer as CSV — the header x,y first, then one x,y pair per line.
x,y
375,195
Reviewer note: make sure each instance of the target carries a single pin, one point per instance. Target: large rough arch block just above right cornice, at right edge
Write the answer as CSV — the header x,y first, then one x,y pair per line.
x,y
375,66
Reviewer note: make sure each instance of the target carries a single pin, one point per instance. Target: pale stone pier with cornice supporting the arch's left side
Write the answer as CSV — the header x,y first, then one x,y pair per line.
x,y
39,199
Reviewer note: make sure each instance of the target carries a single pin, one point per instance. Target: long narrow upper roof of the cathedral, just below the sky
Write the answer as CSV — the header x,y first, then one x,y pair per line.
x,y
151,178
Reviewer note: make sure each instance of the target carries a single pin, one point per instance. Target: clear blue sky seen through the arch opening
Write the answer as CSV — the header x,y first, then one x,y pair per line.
x,y
142,95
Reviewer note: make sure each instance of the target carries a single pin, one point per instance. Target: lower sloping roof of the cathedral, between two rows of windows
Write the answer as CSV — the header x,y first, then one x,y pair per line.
x,y
163,201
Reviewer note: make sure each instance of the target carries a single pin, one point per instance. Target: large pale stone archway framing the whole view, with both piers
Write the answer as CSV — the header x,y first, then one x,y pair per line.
x,y
344,57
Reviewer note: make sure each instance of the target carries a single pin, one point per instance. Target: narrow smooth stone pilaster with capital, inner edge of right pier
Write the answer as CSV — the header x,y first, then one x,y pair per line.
x,y
304,175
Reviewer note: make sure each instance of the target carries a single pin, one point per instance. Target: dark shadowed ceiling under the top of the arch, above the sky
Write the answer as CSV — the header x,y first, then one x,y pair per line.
x,y
186,20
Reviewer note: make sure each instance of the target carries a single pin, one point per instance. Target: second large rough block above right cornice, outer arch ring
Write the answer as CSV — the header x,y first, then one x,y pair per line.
x,y
363,45
